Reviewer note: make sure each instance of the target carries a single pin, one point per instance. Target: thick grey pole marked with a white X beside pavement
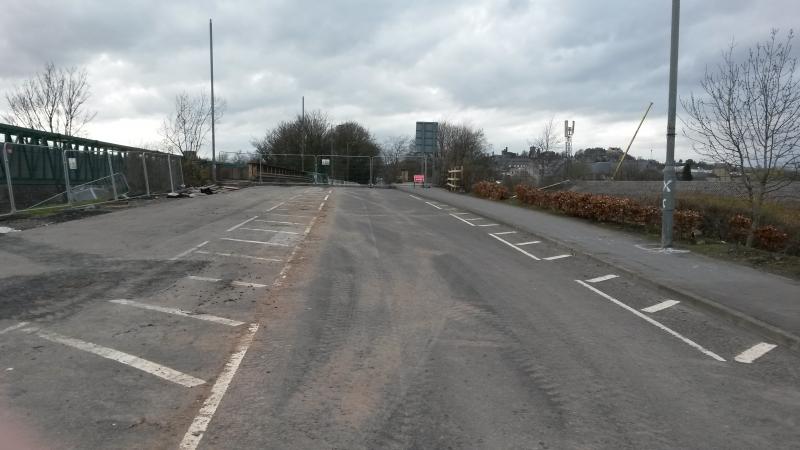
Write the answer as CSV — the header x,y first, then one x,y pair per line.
x,y
668,190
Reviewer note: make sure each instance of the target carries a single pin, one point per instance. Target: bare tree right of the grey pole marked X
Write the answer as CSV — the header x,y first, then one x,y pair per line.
x,y
749,119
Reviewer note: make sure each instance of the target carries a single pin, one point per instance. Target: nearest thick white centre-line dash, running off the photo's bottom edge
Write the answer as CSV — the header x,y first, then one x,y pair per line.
x,y
200,423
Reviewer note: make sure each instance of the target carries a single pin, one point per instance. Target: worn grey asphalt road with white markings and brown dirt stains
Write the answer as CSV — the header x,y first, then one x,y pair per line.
x,y
360,318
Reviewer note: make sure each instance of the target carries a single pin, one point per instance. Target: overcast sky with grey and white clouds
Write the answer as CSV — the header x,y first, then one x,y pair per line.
x,y
506,66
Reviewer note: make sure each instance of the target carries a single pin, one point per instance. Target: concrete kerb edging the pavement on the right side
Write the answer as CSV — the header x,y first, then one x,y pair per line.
x,y
739,318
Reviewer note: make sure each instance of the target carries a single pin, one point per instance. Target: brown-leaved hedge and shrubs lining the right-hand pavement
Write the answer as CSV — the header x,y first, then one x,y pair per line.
x,y
712,225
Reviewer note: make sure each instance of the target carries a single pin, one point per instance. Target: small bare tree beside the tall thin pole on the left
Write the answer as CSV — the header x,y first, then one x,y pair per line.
x,y
186,128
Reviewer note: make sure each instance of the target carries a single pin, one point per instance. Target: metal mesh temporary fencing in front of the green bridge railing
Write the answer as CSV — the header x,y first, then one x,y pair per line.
x,y
38,177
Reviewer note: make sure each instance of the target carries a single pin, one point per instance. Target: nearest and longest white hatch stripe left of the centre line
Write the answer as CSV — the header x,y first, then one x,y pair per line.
x,y
124,358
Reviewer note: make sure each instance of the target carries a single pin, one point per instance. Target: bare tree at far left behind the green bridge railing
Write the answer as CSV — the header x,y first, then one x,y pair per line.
x,y
53,100
